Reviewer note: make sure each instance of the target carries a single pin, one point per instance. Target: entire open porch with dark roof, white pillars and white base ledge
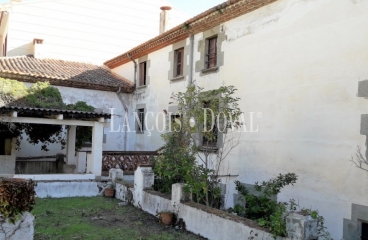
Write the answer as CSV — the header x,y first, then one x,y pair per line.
x,y
93,160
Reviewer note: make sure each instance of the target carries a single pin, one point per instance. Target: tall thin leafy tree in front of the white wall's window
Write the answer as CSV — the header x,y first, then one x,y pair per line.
x,y
207,130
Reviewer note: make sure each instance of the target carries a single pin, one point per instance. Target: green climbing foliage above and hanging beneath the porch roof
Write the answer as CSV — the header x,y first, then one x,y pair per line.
x,y
39,95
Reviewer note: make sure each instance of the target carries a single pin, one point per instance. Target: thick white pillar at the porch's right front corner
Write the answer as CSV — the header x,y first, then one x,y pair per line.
x,y
95,162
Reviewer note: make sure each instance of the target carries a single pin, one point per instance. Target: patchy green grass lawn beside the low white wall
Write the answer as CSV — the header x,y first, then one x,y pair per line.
x,y
98,218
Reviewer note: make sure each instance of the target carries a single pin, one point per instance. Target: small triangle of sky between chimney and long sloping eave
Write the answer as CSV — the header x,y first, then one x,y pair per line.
x,y
194,7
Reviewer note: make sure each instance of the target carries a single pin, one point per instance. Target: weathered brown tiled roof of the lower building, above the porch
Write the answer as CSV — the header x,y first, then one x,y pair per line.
x,y
63,73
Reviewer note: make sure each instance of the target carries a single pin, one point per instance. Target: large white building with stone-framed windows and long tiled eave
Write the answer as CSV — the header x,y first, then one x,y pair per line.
x,y
296,65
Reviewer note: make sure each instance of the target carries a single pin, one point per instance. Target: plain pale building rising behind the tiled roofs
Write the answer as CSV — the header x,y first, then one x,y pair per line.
x,y
83,30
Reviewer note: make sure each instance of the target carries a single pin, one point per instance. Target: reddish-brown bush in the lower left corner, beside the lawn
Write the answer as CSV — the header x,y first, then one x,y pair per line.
x,y
16,197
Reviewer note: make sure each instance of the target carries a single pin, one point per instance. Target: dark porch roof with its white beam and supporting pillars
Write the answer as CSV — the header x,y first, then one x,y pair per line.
x,y
71,118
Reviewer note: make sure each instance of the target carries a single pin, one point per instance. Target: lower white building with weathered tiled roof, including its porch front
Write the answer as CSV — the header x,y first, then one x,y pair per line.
x,y
96,85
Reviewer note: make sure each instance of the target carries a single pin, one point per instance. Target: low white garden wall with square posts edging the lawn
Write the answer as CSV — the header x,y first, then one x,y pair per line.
x,y
205,221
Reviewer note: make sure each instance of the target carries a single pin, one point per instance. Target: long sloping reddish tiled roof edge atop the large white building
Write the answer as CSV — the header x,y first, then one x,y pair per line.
x,y
202,22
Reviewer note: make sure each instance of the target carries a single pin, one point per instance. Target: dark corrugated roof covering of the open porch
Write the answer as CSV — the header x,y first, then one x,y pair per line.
x,y
68,114
